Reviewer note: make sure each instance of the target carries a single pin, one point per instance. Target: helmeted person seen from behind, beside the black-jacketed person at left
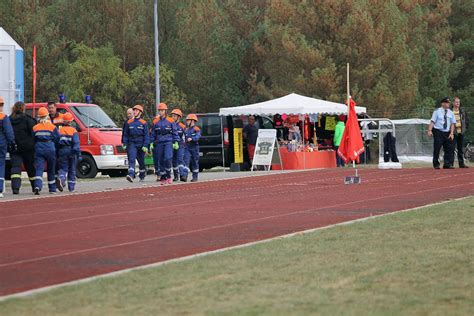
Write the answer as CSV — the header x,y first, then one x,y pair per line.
x,y
46,138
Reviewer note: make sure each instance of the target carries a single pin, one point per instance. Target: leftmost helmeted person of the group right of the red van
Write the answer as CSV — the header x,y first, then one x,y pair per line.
x,y
136,140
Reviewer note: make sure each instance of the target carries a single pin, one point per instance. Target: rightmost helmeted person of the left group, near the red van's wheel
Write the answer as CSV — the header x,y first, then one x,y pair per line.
x,y
69,152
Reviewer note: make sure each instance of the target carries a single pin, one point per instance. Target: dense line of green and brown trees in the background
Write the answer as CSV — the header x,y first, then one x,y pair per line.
x,y
404,54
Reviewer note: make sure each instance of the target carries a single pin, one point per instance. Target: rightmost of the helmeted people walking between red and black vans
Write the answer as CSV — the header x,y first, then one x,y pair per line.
x,y
191,148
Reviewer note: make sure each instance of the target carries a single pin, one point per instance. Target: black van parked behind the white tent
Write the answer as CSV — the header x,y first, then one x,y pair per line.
x,y
213,135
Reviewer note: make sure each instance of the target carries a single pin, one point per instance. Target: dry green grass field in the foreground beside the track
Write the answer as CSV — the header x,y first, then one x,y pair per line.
x,y
412,263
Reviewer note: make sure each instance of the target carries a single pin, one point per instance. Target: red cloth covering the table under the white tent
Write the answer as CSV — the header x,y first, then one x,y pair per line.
x,y
306,160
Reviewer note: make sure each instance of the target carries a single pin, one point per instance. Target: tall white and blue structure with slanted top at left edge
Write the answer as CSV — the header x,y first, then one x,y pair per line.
x,y
12,72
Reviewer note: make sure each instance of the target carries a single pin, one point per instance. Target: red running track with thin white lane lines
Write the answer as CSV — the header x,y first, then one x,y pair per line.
x,y
59,239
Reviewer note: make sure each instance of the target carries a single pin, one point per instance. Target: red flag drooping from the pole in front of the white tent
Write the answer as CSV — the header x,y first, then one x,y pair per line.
x,y
351,144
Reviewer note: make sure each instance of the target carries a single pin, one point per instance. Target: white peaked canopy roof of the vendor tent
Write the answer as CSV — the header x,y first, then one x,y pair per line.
x,y
290,104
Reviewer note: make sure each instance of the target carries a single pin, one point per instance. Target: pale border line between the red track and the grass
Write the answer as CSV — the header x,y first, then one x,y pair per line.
x,y
37,291
